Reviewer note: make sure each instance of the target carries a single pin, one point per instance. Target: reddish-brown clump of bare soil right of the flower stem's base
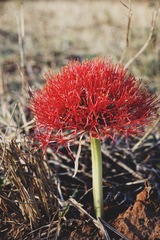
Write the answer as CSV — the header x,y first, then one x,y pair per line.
x,y
142,220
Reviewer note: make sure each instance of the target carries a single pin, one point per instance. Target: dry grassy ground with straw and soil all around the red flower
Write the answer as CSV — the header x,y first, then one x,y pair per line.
x,y
39,198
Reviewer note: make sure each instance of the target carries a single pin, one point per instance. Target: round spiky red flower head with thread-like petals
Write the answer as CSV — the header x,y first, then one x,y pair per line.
x,y
94,97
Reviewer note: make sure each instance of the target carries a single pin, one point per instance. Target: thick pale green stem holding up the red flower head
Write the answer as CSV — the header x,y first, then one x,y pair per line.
x,y
97,176
